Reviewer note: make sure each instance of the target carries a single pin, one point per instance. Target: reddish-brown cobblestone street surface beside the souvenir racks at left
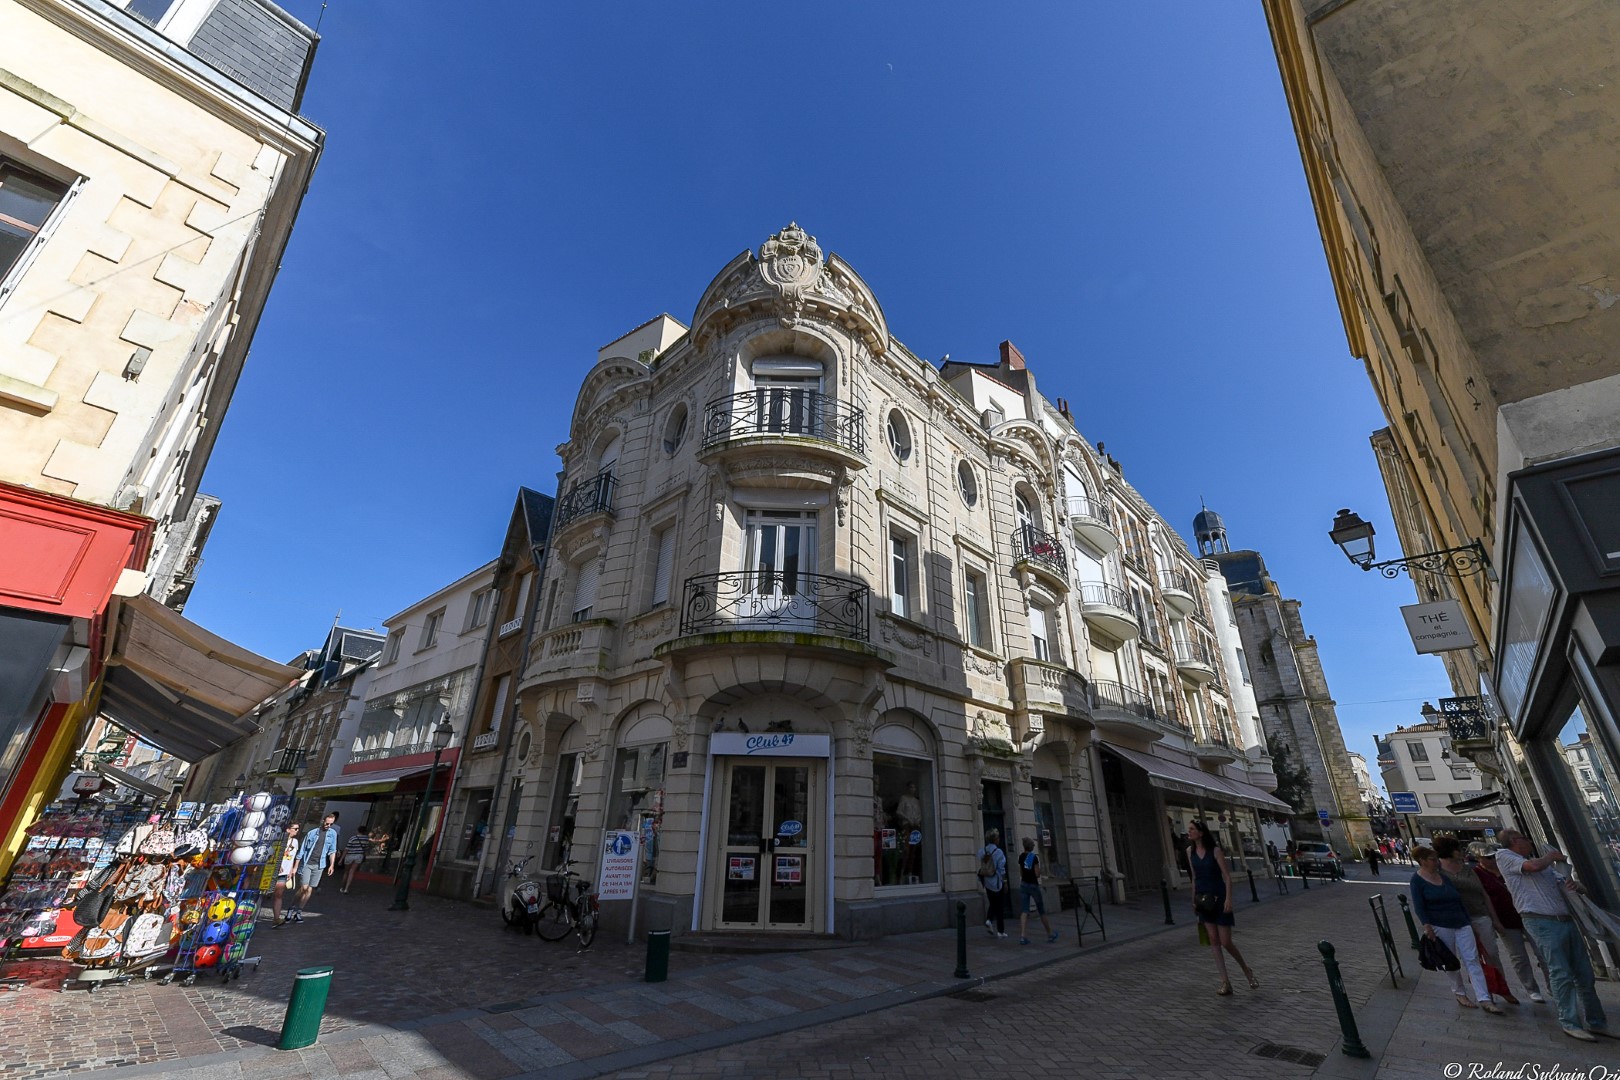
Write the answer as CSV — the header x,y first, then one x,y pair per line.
x,y
390,967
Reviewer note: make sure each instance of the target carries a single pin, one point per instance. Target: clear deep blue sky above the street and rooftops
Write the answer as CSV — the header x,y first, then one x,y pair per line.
x,y
508,187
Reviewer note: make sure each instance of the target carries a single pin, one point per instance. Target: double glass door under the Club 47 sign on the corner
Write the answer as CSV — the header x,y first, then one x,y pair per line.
x,y
769,844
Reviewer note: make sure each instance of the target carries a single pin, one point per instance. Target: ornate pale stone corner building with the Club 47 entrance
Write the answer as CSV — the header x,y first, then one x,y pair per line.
x,y
819,614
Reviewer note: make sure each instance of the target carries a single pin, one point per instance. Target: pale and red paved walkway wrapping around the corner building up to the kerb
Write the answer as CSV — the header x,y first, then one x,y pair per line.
x,y
595,1026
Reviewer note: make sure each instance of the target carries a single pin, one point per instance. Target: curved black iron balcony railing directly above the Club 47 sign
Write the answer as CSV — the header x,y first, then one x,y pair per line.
x,y
757,600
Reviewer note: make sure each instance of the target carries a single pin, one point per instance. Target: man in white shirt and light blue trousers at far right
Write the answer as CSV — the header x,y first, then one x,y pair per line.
x,y
1540,896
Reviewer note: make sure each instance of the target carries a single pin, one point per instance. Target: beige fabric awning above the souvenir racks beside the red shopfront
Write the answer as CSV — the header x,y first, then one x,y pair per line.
x,y
182,689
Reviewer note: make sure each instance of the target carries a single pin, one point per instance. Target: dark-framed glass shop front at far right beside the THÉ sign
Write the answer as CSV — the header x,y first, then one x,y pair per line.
x,y
1558,660
